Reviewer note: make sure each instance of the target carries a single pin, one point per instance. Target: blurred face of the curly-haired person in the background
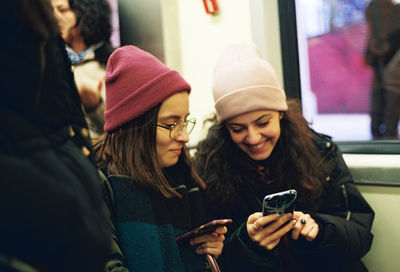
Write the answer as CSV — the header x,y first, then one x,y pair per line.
x,y
66,19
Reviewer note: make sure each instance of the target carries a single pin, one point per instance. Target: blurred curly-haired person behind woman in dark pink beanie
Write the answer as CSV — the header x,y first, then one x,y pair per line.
x,y
86,29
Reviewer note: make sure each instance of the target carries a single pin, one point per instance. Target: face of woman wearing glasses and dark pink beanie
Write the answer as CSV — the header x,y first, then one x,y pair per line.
x,y
174,110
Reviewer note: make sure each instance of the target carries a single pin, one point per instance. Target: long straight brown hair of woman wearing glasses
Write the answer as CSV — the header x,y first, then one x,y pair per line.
x,y
130,150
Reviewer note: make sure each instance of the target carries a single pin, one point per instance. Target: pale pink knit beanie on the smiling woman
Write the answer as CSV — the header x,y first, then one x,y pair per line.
x,y
244,82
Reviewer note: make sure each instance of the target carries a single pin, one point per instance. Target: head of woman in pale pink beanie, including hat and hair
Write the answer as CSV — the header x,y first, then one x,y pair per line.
x,y
256,126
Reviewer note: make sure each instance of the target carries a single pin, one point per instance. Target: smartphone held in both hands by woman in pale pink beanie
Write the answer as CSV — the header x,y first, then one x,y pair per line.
x,y
279,203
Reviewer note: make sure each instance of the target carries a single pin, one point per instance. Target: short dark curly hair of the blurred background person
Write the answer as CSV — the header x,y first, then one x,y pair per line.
x,y
94,18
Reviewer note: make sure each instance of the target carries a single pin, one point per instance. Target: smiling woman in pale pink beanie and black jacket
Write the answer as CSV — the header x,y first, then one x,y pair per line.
x,y
260,144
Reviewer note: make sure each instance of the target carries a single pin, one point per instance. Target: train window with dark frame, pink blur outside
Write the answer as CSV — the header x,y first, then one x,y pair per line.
x,y
326,63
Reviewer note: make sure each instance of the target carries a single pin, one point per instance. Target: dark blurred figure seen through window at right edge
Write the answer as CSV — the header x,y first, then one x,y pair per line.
x,y
383,17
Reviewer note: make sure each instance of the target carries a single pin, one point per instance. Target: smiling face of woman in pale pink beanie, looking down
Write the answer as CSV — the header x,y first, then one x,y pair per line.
x,y
256,132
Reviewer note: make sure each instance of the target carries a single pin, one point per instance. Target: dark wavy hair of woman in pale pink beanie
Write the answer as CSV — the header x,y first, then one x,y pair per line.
x,y
294,163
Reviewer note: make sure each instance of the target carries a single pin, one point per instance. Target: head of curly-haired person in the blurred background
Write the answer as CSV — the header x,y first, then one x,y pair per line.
x,y
83,23
